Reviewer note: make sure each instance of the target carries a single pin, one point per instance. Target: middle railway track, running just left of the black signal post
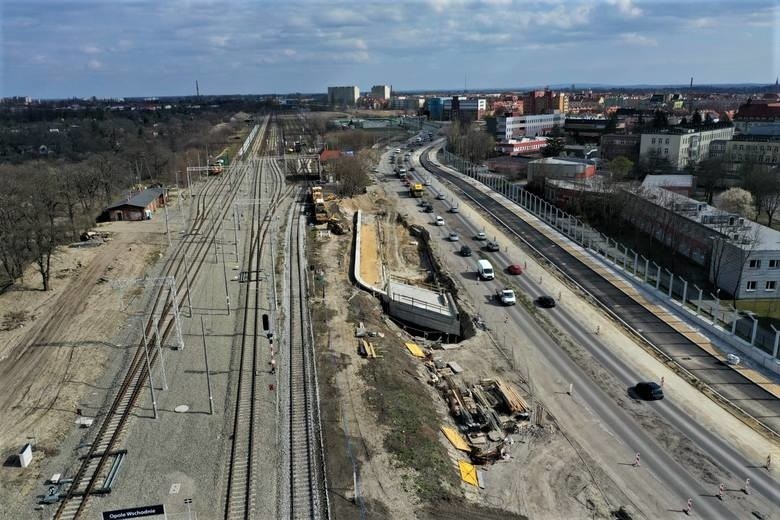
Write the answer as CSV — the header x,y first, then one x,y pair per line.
x,y
240,497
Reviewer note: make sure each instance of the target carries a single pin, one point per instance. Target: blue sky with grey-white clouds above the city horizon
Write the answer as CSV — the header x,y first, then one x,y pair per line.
x,y
123,48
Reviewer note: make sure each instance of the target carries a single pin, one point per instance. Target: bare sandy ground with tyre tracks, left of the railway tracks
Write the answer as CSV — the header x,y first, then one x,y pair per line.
x,y
56,345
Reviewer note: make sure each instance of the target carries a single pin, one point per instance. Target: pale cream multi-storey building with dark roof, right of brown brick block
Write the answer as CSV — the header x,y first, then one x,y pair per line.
x,y
682,146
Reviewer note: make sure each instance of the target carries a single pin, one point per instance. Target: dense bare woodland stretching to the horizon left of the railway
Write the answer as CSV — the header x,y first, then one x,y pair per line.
x,y
50,200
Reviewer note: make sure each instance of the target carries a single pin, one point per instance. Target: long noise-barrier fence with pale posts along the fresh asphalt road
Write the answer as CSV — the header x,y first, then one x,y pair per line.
x,y
673,287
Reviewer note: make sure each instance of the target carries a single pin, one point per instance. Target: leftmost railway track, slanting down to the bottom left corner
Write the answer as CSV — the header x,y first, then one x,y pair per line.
x,y
92,471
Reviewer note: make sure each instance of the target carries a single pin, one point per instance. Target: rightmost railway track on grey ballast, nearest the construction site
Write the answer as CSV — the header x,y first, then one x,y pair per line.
x,y
304,496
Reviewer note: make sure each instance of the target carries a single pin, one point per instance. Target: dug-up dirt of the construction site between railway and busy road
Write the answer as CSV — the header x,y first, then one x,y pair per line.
x,y
563,482
